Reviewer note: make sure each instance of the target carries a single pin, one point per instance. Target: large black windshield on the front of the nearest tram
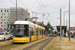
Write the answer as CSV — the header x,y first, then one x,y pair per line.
x,y
21,30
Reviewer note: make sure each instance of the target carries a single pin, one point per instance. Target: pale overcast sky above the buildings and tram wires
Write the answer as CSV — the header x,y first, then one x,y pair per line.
x,y
52,7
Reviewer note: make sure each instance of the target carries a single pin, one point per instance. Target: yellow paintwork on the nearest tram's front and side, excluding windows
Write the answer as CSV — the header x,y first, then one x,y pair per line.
x,y
33,37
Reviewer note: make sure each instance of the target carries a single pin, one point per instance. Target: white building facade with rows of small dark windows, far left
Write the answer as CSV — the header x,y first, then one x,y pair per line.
x,y
4,18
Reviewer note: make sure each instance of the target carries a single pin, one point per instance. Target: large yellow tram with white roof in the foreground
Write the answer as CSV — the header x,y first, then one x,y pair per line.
x,y
25,31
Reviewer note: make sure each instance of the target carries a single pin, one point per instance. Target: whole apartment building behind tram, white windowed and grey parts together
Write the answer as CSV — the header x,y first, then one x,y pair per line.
x,y
8,16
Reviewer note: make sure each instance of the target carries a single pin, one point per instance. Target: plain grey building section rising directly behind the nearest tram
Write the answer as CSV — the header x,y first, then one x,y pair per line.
x,y
22,15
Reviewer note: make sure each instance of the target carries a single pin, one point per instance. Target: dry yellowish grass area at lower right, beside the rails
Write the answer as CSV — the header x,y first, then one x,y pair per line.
x,y
61,44
